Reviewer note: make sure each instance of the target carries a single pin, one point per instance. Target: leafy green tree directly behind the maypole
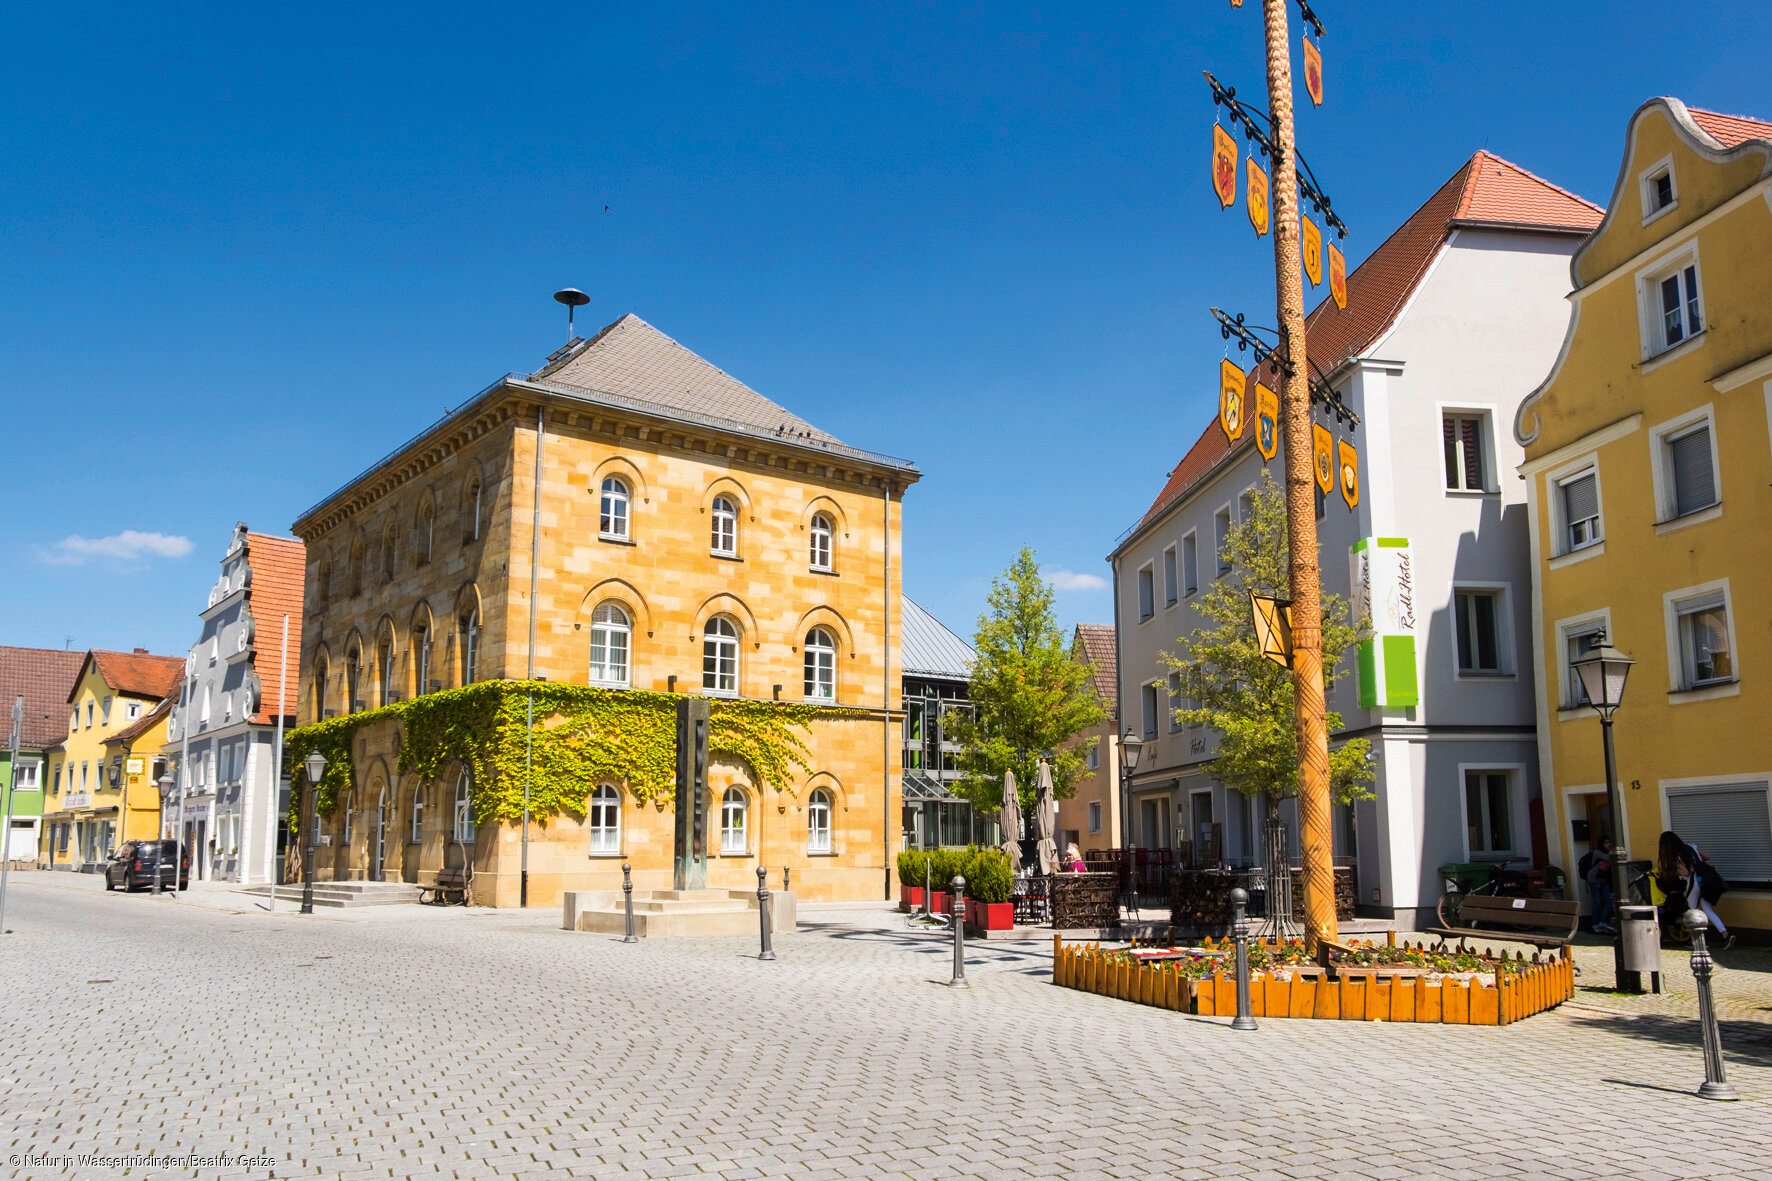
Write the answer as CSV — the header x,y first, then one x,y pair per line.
x,y
1248,698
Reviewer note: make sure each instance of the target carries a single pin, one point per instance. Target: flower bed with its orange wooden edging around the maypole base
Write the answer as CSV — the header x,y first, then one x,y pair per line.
x,y
1372,983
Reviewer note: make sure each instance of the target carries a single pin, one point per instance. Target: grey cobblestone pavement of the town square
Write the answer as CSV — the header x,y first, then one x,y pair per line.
x,y
467,1045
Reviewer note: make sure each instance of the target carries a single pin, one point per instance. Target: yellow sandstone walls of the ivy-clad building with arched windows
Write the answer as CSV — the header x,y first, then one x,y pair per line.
x,y
423,567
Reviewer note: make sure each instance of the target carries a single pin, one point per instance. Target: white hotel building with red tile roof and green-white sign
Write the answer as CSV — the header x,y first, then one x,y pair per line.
x,y
1449,325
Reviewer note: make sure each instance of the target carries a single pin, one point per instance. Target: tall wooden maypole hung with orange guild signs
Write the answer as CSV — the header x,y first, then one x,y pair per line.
x,y
1312,455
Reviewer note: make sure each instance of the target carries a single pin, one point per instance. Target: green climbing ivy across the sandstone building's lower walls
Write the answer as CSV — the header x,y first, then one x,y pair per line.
x,y
582,737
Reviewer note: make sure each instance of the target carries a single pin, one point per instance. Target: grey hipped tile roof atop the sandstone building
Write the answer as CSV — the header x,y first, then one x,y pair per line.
x,y
637,361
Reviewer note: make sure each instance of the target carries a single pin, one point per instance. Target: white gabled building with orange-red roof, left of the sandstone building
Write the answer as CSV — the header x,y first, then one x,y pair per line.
x,y
242,678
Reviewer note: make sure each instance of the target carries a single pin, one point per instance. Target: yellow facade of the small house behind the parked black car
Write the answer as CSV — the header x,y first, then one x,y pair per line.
x,y
86,813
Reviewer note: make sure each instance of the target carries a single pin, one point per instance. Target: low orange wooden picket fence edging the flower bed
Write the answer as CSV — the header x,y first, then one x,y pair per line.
x,y
1516,996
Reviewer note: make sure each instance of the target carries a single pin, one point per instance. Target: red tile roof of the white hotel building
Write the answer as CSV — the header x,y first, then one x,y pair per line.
x,y
1488,191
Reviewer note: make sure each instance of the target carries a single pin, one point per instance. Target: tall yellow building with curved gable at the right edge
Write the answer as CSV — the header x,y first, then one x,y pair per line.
x,y
1649,455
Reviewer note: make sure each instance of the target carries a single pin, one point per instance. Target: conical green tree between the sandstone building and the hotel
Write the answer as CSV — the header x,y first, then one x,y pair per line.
x,y
1030,698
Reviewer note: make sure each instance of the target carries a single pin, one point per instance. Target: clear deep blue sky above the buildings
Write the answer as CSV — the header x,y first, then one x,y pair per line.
x,y
247,251
